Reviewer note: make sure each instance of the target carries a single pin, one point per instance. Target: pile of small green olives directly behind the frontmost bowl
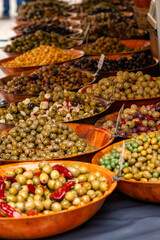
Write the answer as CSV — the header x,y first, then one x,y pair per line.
x,y
41,138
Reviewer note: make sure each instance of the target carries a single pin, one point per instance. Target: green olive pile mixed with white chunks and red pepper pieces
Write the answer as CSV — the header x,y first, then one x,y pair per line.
x,y
60,105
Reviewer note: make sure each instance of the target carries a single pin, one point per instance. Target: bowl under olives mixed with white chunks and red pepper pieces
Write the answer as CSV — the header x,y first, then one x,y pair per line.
x,y
89,120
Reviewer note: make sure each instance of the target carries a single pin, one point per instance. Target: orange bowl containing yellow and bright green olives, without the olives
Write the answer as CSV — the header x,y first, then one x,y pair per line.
x,y
145,191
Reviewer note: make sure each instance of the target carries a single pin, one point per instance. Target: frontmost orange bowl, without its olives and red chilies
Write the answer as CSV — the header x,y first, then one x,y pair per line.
x,y
42,226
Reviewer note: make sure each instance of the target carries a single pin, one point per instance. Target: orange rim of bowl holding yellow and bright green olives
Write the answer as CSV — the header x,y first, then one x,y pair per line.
x,y
122,180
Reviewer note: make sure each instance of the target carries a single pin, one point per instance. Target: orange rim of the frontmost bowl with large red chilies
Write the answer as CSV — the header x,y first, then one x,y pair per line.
x,y
107,193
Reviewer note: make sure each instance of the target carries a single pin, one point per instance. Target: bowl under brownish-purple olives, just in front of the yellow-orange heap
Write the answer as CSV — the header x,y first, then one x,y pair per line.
x,y
11,97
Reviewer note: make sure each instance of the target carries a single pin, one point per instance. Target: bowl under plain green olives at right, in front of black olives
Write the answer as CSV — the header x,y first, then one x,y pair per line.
x,y
117,103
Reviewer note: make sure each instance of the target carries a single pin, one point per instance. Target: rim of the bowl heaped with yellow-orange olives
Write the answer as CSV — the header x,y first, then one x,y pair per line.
x,y
72,50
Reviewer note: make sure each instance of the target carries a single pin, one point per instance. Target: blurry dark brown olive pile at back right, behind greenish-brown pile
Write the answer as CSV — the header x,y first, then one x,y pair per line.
x,y
113,25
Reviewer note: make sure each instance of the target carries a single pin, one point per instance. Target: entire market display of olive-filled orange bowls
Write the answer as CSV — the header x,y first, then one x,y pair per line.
x,y
75,64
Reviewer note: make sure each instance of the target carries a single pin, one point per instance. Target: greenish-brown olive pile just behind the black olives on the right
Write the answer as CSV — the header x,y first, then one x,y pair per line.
x,y
106,45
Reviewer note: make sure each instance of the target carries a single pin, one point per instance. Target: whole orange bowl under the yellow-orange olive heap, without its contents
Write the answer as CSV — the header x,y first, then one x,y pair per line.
x,y
13,70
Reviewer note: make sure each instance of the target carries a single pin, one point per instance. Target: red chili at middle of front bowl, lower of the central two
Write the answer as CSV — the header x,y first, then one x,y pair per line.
x,y
60,192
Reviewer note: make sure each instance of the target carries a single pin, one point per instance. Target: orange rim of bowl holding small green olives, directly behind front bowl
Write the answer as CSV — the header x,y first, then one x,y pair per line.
x,y
111,139
